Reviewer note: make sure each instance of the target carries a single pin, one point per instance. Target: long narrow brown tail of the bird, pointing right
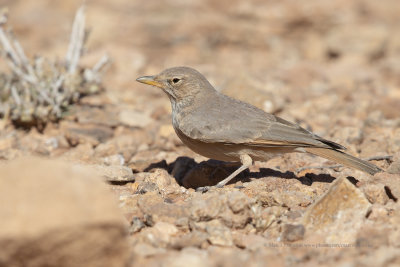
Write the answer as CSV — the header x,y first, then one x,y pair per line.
x,y
345,159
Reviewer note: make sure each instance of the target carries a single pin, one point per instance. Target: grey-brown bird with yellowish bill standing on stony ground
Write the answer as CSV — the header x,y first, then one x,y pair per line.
x,y
223,128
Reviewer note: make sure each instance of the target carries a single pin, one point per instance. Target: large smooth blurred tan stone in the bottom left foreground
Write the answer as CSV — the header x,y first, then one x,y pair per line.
x,y
58,214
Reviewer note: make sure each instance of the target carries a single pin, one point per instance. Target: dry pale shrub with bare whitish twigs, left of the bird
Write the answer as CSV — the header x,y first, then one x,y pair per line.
x,y
42,90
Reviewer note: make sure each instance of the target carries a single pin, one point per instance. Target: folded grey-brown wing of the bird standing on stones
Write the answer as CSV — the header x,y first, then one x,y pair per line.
x,y
265,131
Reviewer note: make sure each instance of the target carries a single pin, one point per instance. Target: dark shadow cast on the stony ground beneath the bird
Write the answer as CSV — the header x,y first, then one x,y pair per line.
x,y
190,174
